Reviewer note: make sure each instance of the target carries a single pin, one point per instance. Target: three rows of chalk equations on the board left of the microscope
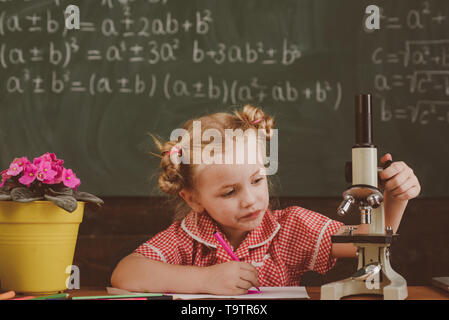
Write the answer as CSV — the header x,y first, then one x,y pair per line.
x,y
156,52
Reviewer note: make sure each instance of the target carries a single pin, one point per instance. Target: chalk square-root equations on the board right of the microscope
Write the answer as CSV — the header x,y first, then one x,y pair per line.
x,y
415,66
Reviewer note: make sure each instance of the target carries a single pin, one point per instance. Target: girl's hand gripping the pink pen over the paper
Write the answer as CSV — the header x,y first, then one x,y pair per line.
x,y
231,278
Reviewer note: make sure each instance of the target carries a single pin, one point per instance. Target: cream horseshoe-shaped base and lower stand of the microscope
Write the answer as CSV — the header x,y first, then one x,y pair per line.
x,y
387,282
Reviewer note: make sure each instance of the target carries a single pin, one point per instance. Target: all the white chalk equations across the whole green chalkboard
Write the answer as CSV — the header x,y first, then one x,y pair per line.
x,y
146,42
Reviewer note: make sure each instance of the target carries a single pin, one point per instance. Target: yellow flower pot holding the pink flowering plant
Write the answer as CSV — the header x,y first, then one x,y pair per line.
x,y
37,243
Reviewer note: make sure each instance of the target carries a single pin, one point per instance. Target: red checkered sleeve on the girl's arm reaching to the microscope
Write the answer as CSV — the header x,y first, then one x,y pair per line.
x,y
307,239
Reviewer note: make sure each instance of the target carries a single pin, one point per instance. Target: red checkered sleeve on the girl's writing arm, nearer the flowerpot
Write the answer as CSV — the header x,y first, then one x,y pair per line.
x,y
170,246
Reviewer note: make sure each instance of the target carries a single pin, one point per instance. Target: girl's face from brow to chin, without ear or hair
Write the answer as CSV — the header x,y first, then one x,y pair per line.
x,y
235,195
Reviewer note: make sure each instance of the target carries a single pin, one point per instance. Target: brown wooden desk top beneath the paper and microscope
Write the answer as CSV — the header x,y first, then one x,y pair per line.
x,y
414,293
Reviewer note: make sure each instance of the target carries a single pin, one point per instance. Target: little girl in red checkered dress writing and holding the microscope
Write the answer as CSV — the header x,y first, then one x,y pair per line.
x,y
275,247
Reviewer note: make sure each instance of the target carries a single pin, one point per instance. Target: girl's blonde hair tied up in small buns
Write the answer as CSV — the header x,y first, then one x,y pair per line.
x,y
177,176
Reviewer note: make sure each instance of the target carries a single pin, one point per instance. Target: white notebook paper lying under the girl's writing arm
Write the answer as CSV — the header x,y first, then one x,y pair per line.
x,y
265,293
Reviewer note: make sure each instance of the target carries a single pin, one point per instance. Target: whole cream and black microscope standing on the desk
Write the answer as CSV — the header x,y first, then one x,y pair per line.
x,y
374,274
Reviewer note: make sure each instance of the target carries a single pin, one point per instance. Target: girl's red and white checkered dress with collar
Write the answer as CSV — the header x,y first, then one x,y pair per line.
x,y
284,246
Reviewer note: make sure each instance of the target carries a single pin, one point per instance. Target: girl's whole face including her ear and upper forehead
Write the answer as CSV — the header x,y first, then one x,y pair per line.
x,y
234,195
